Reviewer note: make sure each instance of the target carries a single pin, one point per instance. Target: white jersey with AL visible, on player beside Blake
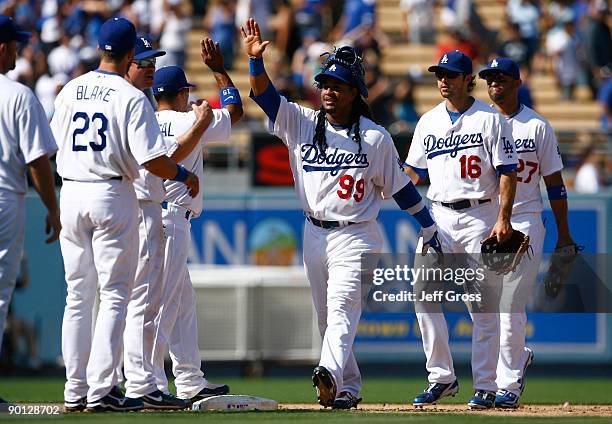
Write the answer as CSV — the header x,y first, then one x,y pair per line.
x,y
174,124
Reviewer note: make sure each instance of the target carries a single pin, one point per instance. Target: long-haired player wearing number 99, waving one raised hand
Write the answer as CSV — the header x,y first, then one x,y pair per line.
x,y
343,166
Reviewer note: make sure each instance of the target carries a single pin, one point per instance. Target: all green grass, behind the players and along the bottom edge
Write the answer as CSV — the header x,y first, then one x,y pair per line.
x,y
540,390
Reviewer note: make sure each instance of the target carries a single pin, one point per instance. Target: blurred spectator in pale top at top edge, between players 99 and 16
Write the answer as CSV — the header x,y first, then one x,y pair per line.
x,y
418,21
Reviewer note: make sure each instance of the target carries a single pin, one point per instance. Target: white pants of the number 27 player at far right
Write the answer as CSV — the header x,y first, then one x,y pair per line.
x,y
517,288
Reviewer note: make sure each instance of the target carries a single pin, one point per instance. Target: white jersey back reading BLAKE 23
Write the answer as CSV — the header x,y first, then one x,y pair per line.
x,y
97,144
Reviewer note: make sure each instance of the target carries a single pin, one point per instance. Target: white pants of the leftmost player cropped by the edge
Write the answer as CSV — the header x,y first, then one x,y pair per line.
x,y
12,235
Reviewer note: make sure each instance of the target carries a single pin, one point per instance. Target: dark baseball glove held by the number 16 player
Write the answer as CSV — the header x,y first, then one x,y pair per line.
x,y
504,257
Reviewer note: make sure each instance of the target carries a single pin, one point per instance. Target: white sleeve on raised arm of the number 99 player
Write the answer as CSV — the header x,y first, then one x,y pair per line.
x,y
290,121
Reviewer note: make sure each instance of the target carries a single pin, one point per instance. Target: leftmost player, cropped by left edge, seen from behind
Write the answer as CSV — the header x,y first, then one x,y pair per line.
x,y
26,143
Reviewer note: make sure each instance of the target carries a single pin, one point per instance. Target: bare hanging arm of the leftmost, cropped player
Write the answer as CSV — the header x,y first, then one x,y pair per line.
x,y
42,179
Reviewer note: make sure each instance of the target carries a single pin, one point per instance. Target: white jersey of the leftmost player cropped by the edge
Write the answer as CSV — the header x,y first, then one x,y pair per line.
x,y
24,134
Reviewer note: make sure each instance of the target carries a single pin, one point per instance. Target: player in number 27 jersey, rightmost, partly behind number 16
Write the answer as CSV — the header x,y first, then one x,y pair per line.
x,y
539,158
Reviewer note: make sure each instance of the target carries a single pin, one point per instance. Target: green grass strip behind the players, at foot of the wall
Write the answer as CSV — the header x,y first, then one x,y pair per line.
x,y
540,390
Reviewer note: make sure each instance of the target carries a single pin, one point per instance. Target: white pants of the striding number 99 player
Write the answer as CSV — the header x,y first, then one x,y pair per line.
x,y
332,260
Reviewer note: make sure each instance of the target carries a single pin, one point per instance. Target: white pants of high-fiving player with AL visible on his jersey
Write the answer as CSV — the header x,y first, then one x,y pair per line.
x,y
177,321
